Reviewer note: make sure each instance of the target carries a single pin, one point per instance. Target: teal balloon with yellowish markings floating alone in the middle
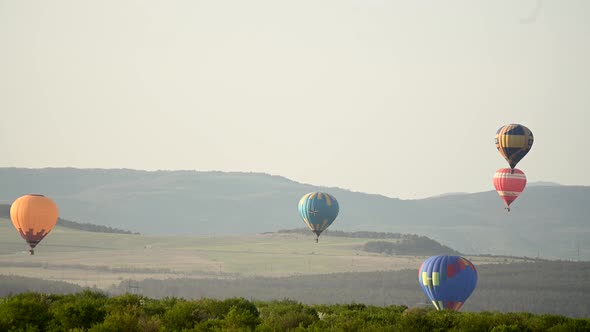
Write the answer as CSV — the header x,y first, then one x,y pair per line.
x,y
318,210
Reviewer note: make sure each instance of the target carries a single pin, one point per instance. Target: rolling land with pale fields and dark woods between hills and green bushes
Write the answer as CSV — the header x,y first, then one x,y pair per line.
x,y
342,268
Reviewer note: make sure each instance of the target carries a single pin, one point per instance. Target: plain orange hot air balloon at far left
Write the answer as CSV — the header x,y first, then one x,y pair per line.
x,y
33,216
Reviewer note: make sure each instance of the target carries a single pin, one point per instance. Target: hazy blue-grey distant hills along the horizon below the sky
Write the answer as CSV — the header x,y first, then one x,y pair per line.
x,y
547,220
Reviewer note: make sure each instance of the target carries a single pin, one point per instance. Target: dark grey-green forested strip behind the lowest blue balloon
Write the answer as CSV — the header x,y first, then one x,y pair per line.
x,y
537,287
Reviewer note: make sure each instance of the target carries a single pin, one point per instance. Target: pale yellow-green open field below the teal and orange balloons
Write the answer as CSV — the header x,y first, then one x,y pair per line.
x,y
103,259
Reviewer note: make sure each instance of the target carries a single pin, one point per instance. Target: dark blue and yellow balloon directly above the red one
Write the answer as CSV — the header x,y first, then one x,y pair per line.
x,y
514,141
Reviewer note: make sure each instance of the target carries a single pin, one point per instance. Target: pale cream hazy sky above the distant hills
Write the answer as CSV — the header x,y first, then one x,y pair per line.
x,y
389,97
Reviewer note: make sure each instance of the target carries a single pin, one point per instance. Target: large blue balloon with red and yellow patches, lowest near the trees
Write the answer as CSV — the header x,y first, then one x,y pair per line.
x,y
447,281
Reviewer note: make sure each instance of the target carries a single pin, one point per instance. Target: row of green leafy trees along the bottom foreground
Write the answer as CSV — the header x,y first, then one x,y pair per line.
x,y
97,312
